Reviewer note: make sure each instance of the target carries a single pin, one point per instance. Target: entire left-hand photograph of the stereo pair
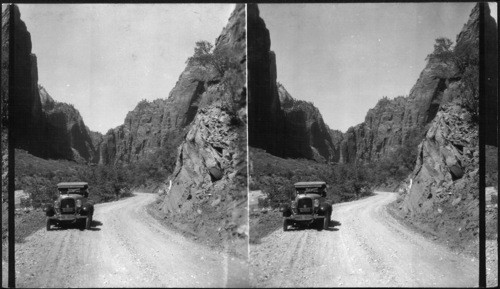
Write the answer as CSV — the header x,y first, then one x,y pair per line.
x,y
129,129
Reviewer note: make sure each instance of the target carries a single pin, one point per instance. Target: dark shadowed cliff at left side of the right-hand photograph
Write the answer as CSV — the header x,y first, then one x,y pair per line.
x,y
275,116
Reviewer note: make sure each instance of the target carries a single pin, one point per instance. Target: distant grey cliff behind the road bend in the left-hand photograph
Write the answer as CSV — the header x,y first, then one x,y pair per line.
x,y
152,125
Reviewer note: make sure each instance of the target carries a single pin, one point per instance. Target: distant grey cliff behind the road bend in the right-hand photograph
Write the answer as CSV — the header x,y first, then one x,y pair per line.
x,y
401,121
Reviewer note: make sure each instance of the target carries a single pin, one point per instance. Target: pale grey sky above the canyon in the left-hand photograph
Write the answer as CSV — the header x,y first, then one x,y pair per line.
x,y
105,58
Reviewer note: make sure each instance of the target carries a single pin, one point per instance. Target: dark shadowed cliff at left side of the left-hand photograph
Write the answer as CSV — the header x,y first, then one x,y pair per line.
x,y
43,127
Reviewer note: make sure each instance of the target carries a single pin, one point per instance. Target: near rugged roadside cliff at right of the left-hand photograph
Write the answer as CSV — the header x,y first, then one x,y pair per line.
x,y
208,192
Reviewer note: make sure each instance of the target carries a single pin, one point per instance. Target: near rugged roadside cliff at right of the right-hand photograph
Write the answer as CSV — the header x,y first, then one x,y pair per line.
x,y
445,178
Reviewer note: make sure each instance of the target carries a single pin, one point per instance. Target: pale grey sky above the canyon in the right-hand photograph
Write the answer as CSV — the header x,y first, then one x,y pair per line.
x,y
345,57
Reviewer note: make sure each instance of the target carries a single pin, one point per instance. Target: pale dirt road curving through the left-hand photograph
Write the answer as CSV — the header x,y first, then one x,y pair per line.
x,y
125,248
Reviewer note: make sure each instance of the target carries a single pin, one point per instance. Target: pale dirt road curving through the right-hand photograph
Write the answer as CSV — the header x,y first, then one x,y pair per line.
x,y
367,247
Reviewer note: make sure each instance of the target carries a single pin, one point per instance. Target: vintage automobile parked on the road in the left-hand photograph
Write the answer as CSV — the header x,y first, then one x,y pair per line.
x,y
72,206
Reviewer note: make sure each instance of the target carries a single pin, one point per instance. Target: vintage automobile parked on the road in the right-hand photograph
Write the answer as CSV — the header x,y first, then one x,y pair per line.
x,y
309,206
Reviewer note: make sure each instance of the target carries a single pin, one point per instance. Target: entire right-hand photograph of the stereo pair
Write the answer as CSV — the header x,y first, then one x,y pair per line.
x,y
364,145
